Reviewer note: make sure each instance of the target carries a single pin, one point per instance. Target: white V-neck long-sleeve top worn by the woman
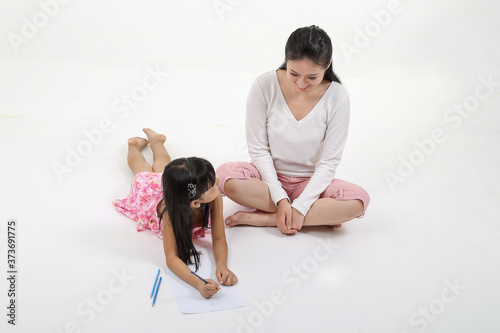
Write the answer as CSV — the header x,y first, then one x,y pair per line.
x,y
311,147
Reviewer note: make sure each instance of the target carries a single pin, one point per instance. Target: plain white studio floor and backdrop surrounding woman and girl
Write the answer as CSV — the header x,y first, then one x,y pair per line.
x,y
423,259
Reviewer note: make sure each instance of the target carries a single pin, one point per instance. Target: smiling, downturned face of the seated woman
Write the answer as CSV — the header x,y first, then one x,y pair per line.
x,y
304,74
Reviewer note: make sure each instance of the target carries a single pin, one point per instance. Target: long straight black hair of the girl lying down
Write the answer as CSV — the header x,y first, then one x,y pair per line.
x,y
178,180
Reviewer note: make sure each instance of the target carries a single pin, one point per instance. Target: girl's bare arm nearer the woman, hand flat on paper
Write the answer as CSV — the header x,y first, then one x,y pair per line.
x,y
224,275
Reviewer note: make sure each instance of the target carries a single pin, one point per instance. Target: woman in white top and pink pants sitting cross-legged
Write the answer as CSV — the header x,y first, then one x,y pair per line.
x,y
297,120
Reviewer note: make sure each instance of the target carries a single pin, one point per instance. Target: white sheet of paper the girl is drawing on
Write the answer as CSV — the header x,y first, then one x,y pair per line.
x,y
189,300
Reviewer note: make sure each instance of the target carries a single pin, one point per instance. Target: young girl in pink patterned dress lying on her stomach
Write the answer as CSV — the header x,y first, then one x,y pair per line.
x,y
177,200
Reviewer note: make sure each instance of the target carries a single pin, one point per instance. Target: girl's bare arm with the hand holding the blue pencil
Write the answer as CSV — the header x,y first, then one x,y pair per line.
x,y
176,265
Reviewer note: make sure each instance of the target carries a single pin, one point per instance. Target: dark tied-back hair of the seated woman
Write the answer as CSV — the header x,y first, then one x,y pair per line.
x,y
314,44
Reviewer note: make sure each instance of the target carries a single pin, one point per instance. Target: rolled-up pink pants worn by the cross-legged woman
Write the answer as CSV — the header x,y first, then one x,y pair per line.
x,y
338,189
